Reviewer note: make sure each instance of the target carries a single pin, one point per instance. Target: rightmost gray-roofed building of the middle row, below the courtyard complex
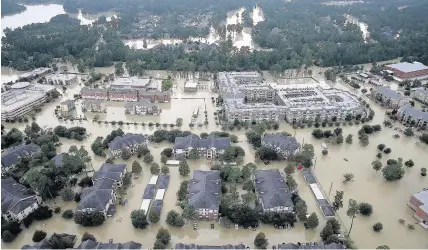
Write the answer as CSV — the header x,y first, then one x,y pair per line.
x,y
282,144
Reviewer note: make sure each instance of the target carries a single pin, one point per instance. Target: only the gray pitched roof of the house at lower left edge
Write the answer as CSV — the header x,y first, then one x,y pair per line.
x,y
15,197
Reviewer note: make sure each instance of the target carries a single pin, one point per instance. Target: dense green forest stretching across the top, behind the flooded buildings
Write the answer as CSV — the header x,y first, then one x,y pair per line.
x,y
298,33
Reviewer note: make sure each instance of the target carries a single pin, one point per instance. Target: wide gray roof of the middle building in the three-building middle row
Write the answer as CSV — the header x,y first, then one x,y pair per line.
x,y
195,141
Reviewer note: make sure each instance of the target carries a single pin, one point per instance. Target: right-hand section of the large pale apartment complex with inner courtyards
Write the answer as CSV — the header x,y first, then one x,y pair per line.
x,y
301,105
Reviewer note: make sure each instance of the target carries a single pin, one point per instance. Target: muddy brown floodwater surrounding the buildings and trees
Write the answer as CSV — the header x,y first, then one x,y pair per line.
x,y
389,200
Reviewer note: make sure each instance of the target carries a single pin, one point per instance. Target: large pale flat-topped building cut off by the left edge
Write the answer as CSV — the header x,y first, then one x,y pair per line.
x,y
22,99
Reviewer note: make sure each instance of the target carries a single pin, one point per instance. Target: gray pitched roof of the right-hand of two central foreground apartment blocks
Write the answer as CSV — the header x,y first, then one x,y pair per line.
x,y
272,189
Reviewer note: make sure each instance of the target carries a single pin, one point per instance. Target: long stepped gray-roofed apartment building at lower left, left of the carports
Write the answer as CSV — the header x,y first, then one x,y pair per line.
x,y
102,195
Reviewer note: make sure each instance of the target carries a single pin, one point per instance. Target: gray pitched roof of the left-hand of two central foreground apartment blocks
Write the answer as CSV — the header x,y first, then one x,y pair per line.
x,y
205,189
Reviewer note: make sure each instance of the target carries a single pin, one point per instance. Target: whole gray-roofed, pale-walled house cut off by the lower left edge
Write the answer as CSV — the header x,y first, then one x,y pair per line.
x,y
17,201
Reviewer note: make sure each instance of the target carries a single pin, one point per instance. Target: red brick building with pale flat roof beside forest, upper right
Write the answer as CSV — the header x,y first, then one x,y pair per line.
x,y
407,70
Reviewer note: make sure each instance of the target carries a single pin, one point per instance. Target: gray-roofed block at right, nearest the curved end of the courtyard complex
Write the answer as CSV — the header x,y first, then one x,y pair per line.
x,y
388,97
